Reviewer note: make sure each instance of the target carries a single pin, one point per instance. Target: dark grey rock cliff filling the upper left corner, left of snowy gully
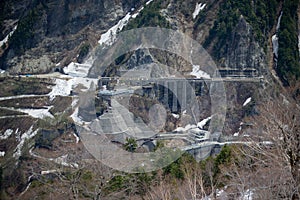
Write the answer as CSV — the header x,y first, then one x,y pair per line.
x,y
52,32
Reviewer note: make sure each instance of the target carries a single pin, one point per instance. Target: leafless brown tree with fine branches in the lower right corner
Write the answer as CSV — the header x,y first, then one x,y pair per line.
x,y
269,164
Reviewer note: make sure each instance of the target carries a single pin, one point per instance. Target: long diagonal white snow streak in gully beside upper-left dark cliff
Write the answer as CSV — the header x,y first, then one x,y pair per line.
x,y
109,37
